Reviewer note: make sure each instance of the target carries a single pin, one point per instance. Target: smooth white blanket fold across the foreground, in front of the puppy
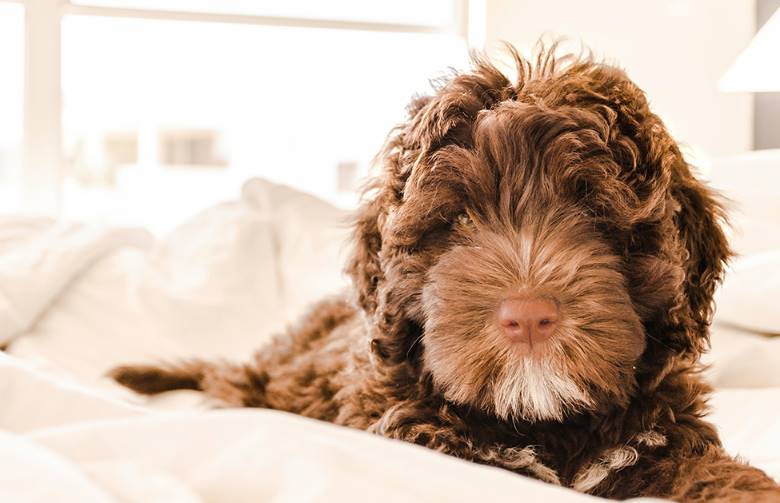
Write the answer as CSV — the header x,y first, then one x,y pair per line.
x,y
60,442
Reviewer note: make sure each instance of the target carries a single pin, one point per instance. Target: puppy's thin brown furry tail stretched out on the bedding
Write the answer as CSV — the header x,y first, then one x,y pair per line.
x,y
232,384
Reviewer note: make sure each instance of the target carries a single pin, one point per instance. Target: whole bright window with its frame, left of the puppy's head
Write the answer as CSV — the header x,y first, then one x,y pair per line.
x,y
145,111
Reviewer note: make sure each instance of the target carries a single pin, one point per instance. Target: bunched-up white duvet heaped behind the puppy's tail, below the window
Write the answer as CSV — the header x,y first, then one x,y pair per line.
x,y
218,286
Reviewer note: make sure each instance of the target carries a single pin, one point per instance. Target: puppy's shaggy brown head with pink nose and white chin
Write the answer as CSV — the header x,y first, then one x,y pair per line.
x,y
538,248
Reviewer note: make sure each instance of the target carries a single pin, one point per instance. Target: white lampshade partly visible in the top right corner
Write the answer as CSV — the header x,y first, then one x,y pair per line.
x,y
757,69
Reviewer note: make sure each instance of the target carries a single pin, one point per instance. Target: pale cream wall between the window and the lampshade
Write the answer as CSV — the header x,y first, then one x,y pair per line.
x,y
676,50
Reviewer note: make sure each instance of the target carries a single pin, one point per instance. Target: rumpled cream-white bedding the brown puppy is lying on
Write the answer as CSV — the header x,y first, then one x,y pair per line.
x,y
79,300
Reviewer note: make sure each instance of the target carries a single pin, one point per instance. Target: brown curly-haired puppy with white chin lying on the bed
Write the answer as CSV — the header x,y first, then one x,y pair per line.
x,y
533,275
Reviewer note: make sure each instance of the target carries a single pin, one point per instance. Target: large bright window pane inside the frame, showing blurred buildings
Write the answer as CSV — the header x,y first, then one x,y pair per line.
x,y
162,118
